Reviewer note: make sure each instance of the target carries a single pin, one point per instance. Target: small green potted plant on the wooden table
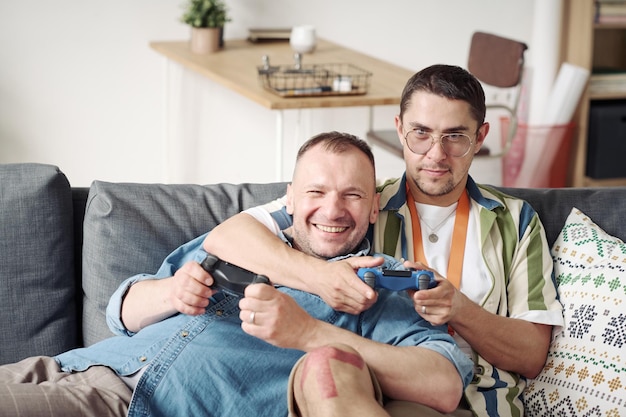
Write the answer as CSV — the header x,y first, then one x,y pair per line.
x,y
207,19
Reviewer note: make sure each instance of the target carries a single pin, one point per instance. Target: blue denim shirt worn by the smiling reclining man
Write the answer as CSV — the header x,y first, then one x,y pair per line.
x,y
207,365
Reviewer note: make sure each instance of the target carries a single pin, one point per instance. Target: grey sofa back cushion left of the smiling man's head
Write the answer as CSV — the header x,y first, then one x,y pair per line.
x,y
131,228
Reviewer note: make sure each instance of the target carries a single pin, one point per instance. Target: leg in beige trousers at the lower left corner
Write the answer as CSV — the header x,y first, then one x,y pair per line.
x,y
37,387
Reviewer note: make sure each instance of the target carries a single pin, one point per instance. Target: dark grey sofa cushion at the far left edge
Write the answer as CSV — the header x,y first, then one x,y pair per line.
x,y
37,284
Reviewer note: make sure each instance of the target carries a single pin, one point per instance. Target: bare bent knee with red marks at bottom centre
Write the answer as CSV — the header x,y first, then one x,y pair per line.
x,y
334,381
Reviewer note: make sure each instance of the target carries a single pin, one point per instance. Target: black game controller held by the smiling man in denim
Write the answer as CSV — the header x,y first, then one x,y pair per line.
x,y
230,278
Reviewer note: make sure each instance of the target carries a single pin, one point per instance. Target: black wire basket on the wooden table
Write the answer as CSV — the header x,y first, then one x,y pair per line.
x,y
315,80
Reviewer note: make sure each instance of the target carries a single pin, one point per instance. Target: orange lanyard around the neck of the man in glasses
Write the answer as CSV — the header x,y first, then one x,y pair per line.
x,y
459,236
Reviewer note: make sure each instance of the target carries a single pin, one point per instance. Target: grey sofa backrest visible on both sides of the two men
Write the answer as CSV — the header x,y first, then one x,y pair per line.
x,y
131,228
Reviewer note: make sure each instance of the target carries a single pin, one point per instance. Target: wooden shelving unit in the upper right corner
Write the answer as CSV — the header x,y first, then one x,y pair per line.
x,y
590,45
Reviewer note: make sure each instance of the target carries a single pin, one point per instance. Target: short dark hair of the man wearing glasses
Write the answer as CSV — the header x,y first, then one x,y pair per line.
x,y
449,81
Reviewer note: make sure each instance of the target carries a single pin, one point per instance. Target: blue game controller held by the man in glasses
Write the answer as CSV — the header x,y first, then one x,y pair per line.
x,y
397,280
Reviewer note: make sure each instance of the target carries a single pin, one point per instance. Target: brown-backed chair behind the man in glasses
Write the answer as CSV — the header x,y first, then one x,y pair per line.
x,y
498,63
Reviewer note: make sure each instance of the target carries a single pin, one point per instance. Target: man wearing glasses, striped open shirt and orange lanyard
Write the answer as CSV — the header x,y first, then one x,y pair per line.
x,y
488,249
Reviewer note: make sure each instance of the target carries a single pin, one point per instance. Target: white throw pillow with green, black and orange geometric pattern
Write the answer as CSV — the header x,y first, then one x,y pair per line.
x,y
585,373
